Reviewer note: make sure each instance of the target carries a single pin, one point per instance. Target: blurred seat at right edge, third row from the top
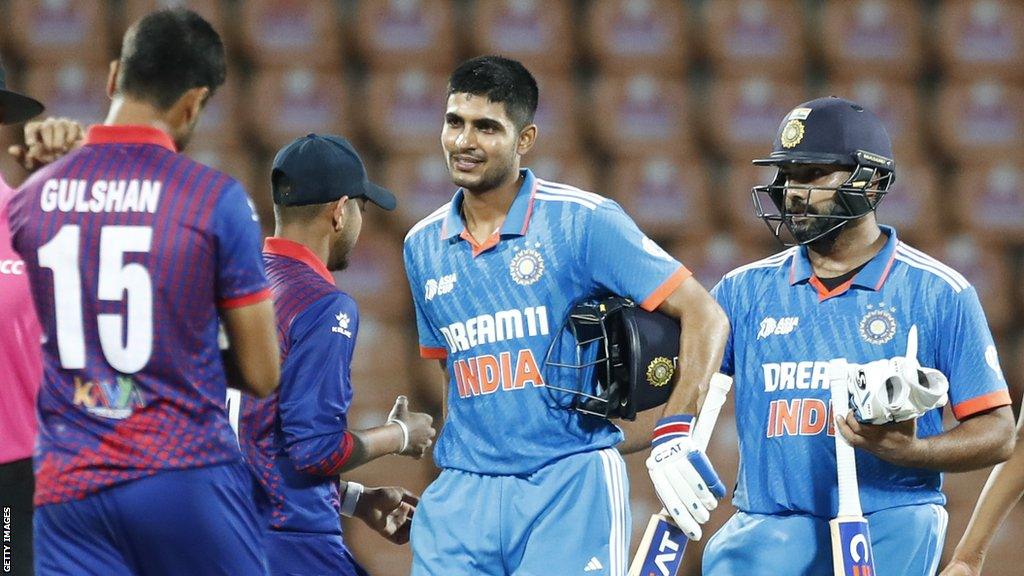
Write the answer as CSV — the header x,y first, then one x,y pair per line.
x,y
990,201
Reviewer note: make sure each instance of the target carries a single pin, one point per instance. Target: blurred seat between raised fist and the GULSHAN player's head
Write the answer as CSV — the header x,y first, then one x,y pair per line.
x,y
75,90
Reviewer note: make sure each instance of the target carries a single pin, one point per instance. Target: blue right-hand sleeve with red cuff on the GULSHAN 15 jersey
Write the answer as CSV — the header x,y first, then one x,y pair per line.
x,y
241,279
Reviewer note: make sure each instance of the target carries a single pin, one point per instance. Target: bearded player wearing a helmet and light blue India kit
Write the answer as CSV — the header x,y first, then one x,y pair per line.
x,y
847,289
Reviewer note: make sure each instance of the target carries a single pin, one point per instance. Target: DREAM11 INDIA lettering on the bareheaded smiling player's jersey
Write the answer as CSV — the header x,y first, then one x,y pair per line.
x,y
488,374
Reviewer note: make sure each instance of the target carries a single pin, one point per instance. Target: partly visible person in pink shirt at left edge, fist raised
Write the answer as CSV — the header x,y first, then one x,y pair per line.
x,y
21,354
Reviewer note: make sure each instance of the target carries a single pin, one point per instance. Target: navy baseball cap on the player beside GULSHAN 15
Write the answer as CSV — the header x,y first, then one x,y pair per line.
x,y
321,170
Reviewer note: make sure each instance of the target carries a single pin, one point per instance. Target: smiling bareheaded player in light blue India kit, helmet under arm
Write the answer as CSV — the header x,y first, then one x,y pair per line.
x,y
528,486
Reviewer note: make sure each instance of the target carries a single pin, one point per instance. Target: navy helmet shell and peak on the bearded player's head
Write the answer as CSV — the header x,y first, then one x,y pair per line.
x,y
831,131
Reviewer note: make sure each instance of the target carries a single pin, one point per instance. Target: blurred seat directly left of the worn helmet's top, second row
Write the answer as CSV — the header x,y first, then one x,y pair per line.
x,y
743,115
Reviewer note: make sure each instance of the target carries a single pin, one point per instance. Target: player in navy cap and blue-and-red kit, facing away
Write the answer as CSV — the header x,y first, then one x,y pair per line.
x,y
298,441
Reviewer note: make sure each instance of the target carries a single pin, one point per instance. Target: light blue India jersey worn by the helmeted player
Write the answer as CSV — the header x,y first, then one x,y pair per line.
x,y
786,328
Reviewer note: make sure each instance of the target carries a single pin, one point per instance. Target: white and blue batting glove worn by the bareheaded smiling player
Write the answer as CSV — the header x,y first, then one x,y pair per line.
x,y
684,478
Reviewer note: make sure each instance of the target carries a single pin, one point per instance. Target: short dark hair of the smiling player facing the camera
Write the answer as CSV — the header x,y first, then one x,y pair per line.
x,y
502,80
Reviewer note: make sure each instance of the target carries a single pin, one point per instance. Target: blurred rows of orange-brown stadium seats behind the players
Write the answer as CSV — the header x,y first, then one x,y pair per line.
x,y
658,104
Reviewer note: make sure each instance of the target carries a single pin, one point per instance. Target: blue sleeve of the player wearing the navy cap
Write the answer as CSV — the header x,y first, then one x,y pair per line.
x,y
316,387
